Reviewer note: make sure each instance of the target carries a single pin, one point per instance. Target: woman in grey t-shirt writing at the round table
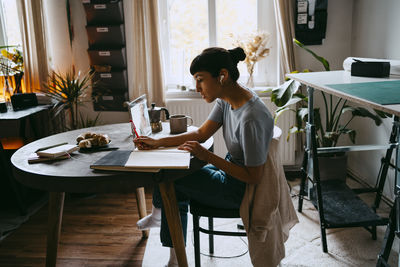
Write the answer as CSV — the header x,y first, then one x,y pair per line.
x,y
247,130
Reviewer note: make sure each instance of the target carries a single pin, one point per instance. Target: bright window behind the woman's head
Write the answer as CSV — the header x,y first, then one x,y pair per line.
x,y
189,26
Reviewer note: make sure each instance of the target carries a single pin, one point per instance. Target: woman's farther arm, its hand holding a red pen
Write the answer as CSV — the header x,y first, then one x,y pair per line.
x,y
205,131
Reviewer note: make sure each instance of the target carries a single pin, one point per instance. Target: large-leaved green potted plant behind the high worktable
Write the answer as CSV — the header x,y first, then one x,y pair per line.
x,y
330,124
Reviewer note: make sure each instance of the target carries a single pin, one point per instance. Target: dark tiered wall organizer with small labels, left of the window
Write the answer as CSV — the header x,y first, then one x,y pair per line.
x,y
106,36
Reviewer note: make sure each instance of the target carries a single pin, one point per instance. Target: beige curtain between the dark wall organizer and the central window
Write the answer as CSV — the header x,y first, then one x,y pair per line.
x,y
147,73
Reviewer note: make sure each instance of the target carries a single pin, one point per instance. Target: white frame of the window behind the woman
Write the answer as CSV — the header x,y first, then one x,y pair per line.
x,y
265,22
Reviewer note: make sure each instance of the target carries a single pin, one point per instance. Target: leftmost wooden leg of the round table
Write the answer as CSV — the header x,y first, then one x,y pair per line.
x,y
56,205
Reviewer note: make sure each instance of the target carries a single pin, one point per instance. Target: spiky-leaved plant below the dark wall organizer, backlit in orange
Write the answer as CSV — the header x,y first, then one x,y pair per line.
x,y
68,90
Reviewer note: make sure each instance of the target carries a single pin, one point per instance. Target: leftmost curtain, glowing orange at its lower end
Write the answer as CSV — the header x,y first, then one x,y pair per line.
x,y
34,45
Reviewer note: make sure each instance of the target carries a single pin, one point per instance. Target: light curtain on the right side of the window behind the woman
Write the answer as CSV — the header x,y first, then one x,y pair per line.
x,y
285,24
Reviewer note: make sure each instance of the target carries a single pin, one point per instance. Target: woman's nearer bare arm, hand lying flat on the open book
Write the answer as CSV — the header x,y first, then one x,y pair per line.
x,y
251,175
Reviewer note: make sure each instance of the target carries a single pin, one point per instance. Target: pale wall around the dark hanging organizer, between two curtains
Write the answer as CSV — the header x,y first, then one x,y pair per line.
x,y
62,55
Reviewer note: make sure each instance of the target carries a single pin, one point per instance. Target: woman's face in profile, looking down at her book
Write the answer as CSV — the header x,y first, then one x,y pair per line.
x,y
207,86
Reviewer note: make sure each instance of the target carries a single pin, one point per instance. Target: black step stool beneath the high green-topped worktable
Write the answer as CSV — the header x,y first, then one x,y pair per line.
x,y
338,205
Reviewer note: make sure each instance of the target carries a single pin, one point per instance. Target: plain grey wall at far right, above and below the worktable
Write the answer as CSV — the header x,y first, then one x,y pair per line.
x,y
376,35
